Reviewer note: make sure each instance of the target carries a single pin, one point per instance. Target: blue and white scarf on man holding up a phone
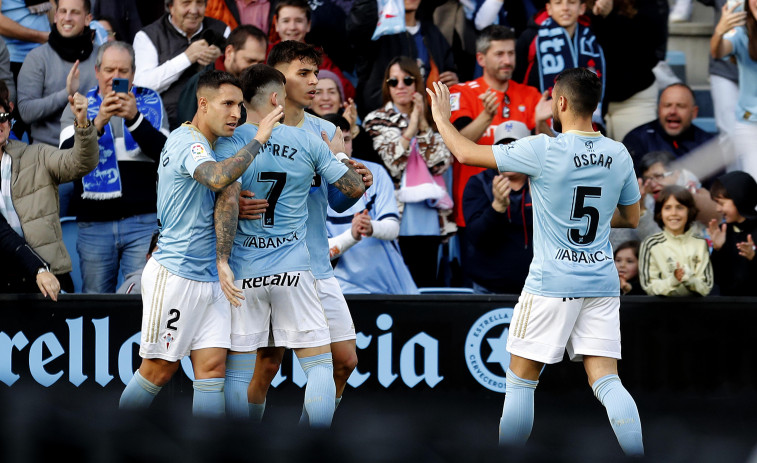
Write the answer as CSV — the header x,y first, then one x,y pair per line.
x,y
105,181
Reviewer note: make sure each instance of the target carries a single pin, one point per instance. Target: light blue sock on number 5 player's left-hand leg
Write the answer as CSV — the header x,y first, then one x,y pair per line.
x,y
518,412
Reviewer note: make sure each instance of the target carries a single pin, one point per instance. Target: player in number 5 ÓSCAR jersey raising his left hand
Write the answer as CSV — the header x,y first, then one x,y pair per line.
x,y
582,184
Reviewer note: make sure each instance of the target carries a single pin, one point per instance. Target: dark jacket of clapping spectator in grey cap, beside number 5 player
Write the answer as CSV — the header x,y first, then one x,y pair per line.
x,y
498,247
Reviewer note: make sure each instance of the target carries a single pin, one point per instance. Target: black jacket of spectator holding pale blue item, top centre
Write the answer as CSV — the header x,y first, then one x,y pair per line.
x,y
374,56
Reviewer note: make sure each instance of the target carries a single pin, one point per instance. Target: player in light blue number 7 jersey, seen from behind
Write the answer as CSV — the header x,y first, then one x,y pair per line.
x,y
270,258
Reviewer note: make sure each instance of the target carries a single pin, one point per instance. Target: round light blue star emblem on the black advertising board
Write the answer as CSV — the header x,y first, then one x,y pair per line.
x,y
492,327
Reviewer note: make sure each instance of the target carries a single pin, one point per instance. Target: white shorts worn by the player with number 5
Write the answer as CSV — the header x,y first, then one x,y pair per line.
x,y
544,327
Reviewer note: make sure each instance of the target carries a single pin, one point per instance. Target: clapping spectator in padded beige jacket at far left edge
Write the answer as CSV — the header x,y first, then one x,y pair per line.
x,y
29,188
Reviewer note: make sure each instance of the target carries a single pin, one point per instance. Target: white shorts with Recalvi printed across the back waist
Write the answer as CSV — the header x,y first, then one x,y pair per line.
x,y
284,306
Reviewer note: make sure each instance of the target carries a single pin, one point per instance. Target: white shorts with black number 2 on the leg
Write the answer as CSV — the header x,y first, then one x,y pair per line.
x,y
181,315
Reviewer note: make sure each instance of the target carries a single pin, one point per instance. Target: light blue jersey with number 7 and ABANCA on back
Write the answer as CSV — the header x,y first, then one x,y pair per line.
x,y
283,174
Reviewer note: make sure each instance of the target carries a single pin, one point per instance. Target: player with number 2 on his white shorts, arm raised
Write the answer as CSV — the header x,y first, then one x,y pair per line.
x,y
184,310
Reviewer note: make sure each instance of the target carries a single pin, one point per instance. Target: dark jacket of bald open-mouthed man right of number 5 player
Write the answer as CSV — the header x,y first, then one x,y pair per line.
x,y
652,137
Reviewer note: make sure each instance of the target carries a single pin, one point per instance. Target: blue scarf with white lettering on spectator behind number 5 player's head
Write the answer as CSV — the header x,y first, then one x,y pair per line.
x,y
556,51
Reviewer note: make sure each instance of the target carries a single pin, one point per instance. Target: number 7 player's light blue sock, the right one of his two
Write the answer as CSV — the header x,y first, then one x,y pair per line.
x,y
320,392
